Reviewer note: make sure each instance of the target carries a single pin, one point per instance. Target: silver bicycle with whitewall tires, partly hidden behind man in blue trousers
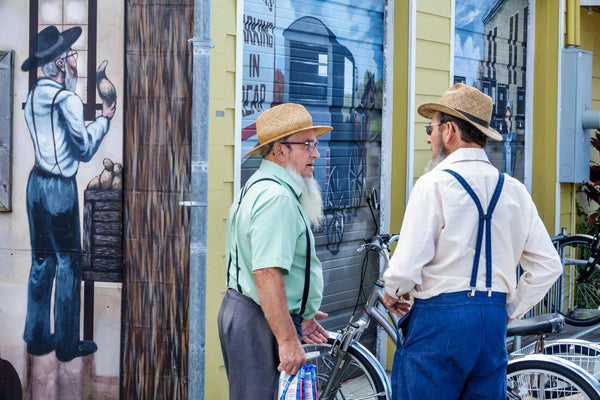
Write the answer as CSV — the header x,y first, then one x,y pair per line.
x,y
346,370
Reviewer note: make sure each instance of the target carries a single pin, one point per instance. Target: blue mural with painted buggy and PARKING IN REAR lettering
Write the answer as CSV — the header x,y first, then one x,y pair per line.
x,y
327,56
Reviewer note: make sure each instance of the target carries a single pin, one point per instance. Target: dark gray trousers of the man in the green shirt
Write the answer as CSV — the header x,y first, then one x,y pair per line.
x,y
249,349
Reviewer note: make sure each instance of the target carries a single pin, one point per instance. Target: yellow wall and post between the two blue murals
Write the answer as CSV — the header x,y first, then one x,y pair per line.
x,y
432,77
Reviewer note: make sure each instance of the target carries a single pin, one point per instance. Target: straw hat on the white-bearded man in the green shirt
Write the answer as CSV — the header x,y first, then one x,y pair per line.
x,y
281,121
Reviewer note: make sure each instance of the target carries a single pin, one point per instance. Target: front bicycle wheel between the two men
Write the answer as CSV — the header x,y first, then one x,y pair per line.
x,y
362,379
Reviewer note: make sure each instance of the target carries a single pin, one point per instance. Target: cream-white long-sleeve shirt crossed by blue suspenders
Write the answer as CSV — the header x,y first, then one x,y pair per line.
x,y
437,241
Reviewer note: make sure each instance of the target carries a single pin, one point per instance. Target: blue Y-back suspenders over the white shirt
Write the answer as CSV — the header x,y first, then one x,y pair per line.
x,y
485,219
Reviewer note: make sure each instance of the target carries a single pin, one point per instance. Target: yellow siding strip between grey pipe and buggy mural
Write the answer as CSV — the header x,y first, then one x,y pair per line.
x,y
220,183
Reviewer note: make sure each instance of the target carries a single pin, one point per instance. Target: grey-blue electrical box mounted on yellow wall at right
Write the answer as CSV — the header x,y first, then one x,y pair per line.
x,y
576,97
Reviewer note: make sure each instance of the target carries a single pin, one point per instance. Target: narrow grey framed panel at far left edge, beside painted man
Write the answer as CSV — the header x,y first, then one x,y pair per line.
x,y
6,102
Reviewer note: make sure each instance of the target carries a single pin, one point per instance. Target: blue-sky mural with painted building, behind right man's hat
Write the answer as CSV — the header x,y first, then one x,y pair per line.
x,y
491,54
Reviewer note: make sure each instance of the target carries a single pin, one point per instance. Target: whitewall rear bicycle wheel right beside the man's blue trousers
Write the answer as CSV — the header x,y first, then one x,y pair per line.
x,y
547,377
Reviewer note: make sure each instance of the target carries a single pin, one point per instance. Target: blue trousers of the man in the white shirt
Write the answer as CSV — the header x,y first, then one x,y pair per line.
x,y
453,348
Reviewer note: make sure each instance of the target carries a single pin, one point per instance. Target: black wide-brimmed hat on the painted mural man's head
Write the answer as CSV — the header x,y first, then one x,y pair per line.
x,y
48,44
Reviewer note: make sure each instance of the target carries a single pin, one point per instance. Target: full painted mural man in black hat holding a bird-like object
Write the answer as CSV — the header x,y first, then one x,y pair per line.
x,y
55,119
